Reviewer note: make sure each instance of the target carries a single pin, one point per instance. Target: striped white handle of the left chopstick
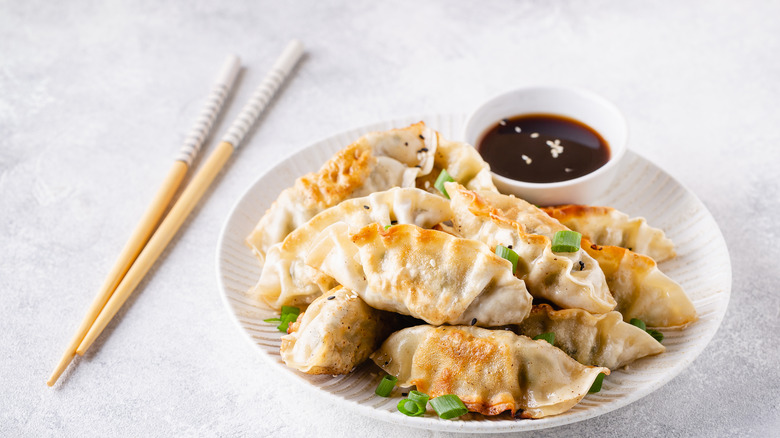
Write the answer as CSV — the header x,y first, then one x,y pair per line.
x,y
216,99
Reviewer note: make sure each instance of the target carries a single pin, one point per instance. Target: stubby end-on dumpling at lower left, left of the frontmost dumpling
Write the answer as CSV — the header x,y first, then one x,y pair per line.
x,y
335,334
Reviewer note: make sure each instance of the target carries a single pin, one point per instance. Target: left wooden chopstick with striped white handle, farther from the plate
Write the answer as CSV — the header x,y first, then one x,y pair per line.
x,y
143,231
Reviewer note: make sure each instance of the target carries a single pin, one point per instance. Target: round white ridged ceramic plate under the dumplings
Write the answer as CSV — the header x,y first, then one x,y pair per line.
x,y
702,267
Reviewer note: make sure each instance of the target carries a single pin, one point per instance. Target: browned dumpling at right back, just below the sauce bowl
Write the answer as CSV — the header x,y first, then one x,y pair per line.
x,y
607,226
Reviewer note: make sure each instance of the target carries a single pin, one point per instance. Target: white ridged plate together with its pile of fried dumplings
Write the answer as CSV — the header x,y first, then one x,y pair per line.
x,y
386,250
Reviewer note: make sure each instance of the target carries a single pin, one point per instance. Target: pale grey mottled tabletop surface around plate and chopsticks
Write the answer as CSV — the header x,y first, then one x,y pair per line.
x,y
95,98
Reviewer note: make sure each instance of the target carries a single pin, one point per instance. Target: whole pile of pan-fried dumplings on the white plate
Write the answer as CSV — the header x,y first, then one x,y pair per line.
x,y
387,263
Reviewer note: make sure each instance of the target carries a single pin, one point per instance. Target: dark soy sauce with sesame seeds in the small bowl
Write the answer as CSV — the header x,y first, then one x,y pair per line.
x,y
542,148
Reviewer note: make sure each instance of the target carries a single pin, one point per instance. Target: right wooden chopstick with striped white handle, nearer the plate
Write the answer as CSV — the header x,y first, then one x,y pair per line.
x,y
195,190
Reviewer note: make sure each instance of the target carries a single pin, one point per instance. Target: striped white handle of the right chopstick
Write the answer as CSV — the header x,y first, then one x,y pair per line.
x,y
263,93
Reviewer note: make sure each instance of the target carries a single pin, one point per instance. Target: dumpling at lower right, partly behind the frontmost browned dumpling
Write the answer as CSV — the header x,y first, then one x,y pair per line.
x,y
595,340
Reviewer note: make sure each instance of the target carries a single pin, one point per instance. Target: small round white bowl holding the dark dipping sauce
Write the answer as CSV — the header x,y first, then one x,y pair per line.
x,y
585,106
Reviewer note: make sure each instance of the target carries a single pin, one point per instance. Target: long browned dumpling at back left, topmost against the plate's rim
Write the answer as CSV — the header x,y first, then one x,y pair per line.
x,y
375,162
